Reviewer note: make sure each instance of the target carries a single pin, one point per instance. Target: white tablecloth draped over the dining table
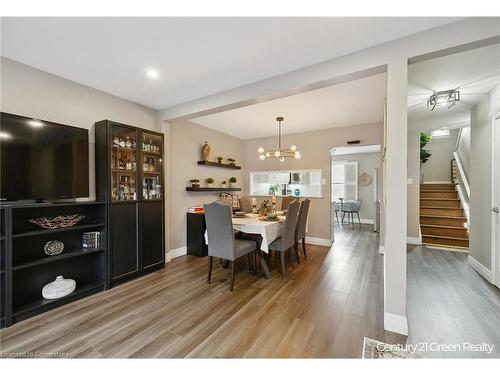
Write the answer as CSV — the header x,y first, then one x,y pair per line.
x,y
269,230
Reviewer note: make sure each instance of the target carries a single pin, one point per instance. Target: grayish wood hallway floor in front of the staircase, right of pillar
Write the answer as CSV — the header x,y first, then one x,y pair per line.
x,y
450,303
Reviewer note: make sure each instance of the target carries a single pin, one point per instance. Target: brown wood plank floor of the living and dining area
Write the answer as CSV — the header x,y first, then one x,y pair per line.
x,y
324,309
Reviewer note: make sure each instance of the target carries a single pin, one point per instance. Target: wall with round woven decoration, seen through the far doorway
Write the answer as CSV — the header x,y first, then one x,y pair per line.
x,y
367,163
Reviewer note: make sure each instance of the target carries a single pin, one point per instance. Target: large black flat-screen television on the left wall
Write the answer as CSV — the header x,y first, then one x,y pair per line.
x,y
42,160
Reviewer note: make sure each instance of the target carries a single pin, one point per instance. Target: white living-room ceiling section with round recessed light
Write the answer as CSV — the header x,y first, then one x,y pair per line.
x,y
195,57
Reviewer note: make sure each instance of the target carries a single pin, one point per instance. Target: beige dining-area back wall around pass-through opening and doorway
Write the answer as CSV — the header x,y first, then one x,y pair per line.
x,y
315,149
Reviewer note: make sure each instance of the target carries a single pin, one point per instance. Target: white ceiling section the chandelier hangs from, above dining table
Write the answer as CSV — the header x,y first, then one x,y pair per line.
x,y
351,103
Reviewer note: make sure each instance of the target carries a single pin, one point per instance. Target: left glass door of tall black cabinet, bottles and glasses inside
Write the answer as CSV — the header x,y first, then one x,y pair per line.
x,y
123,164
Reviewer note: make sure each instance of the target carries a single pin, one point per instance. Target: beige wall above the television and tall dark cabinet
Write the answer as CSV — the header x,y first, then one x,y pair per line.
x,y
34,93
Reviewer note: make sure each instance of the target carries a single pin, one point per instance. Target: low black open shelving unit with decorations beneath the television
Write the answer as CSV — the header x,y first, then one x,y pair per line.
x,y
26,267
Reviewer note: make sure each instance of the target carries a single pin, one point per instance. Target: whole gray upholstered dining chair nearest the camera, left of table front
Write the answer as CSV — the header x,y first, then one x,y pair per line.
x,y
221,241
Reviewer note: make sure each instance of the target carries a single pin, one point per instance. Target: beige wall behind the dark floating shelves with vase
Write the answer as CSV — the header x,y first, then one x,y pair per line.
x,y
186,139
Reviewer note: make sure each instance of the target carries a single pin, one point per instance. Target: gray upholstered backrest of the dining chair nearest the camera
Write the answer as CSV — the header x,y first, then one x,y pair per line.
x,y
220,230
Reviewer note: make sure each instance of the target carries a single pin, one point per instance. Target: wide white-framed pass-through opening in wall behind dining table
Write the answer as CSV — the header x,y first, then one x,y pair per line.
x,y
301,183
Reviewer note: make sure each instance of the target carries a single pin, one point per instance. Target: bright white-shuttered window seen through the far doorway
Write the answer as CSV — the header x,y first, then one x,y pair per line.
x,y
344,180
